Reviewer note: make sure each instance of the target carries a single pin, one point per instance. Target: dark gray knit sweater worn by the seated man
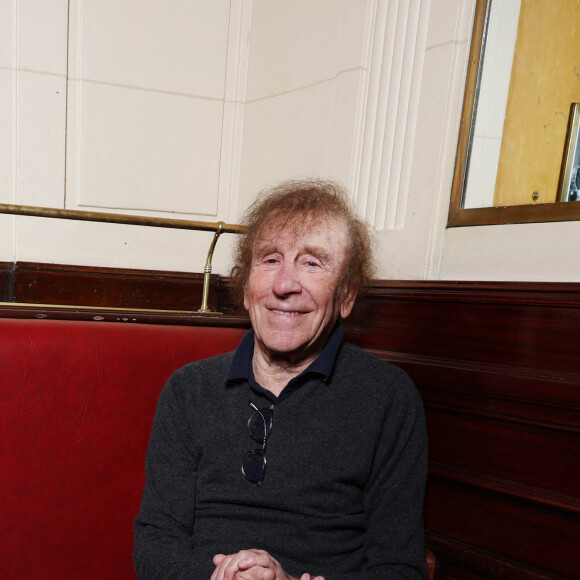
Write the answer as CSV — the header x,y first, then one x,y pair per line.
x,y
344,487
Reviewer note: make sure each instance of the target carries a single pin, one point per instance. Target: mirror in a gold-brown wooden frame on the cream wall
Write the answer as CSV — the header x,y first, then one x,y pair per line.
x,y
517,129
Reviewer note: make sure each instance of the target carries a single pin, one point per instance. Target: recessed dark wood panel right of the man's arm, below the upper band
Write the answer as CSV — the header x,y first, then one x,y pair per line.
x,y
498,448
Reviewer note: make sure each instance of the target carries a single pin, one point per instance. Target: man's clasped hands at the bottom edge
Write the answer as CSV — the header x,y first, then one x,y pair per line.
x,y
252,565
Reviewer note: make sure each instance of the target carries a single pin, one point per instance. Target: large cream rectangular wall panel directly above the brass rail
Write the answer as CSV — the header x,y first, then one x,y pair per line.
x,y
133,132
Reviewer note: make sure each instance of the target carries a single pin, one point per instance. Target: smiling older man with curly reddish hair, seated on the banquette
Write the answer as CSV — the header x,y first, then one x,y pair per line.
x,y
297,455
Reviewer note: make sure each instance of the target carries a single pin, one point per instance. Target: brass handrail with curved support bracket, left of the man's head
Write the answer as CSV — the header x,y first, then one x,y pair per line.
x,y
128,219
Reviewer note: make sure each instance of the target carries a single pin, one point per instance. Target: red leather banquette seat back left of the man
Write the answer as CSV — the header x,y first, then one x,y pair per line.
x,y
76,403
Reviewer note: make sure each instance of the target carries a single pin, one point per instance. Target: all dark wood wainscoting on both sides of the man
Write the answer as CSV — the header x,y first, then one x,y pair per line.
x,y
496,366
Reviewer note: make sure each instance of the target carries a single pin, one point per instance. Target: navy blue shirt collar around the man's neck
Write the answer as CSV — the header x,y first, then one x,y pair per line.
x,y
241,366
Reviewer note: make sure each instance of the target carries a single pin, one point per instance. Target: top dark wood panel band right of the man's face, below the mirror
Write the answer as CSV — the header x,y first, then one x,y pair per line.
x,y
475,323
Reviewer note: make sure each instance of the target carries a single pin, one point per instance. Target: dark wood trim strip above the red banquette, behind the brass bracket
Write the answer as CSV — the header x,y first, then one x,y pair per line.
x,y
34,290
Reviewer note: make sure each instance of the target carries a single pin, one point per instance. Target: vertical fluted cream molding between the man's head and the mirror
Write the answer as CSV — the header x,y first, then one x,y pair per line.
x,y
395,48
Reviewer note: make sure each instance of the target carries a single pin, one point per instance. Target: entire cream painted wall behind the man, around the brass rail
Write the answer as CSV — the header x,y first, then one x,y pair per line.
x,y
186,108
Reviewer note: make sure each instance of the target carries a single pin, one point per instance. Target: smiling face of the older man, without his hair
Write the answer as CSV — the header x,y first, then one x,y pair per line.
x,y
292,295
